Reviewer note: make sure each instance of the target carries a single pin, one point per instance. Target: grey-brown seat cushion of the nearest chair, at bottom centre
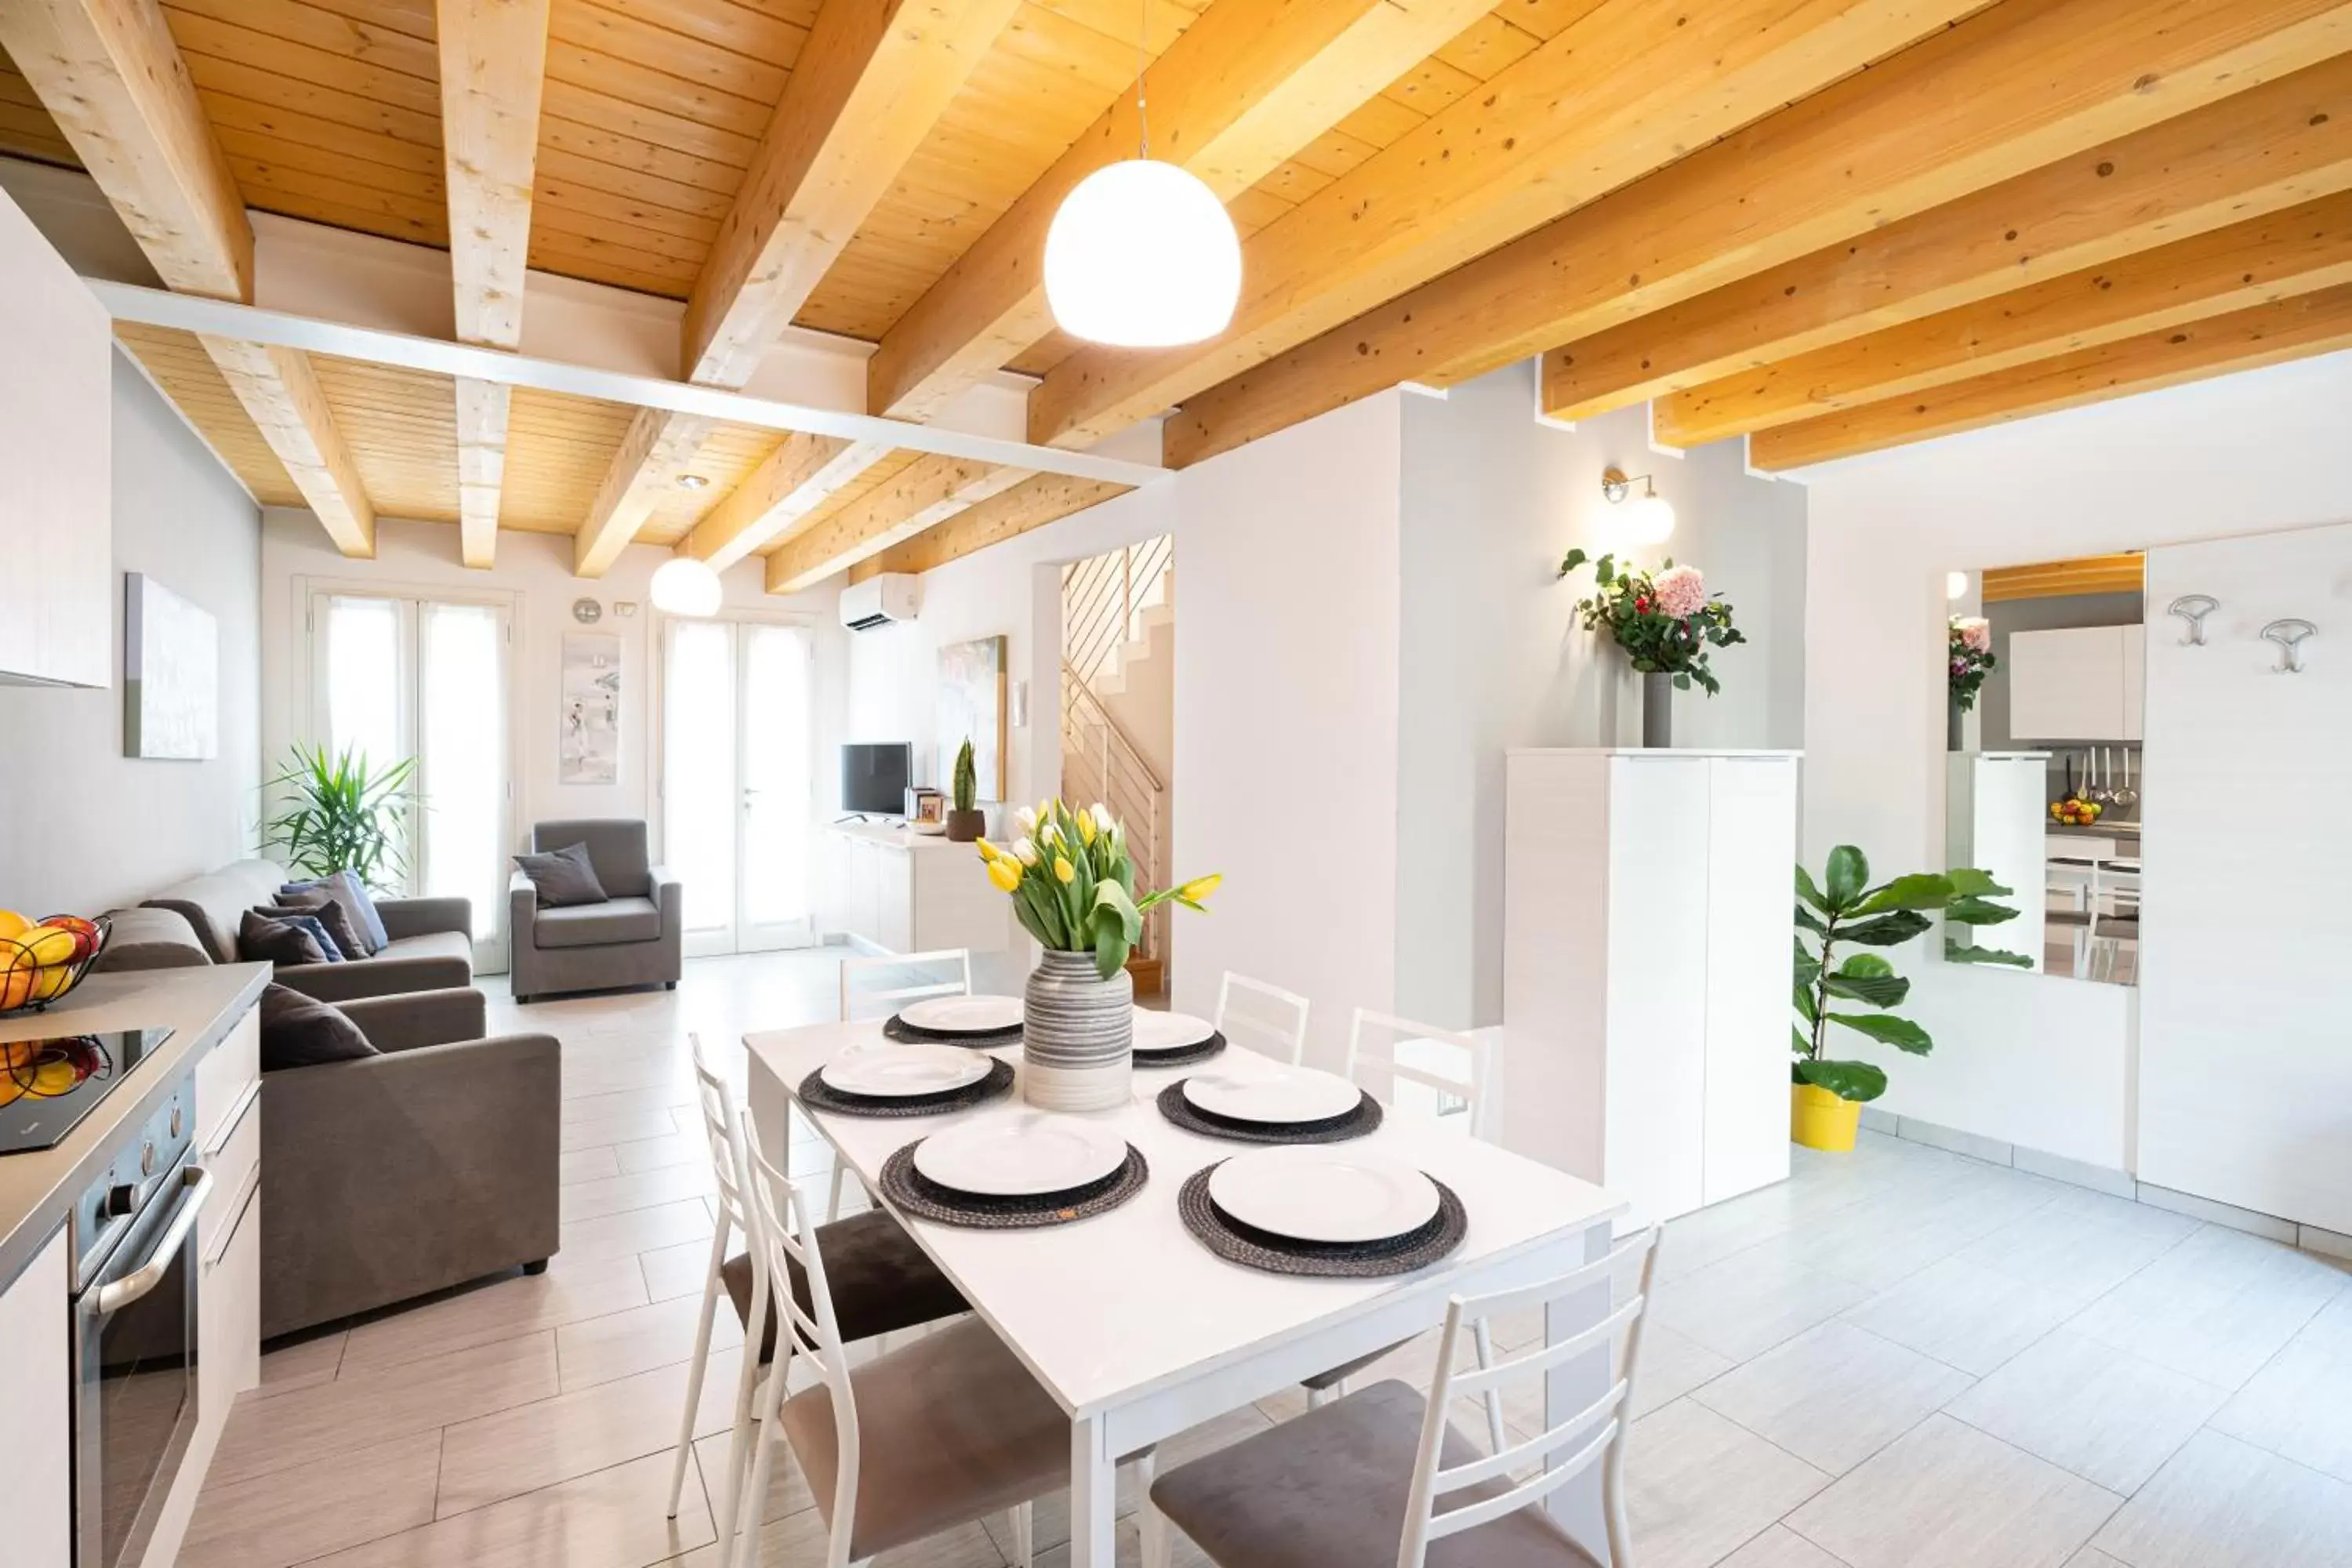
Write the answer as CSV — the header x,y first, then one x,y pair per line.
x,y
1332,1489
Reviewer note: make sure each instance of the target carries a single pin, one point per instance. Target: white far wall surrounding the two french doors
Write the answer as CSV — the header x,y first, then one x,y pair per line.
x,y
535,577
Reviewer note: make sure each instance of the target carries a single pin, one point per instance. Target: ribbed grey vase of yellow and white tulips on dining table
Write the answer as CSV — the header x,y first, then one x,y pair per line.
x,y
1074,890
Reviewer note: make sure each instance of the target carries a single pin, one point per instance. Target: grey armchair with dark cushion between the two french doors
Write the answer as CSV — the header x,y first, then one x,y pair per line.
x,y
634,939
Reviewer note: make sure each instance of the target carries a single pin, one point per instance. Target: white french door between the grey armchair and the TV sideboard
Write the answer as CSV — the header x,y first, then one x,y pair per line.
x,y
737,782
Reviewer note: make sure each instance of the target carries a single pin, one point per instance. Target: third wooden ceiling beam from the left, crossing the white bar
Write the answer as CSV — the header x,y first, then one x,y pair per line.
x,y
867,88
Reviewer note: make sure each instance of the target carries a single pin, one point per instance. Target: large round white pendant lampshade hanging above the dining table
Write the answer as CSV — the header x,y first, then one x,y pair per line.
x,y
1142,255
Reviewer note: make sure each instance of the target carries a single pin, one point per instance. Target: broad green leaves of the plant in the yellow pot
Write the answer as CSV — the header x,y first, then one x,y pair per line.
x,y
1847,911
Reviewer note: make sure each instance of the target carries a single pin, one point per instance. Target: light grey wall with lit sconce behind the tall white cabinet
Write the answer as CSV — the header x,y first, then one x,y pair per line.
x,y
1492,655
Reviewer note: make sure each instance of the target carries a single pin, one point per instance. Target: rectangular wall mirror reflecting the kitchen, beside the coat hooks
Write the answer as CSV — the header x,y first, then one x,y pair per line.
x,y
2045,775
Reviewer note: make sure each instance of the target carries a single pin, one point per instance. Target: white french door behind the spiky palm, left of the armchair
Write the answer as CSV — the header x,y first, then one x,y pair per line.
x,y
429,681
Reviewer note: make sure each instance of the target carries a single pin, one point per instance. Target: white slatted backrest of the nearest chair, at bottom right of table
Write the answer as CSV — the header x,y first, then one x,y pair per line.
x,y
1558,1454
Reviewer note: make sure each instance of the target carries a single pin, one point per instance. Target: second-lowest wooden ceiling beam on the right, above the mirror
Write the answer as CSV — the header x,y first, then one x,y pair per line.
x,y
2217,274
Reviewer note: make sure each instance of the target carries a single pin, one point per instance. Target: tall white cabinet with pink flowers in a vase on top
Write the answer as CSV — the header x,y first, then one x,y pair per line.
x,y
1648,913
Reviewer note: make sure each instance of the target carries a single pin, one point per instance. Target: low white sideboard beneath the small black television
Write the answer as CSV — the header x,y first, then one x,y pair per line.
x,y
909,892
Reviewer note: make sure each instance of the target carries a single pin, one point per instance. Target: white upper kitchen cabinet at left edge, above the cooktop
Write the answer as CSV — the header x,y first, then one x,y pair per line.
x,y
55,467
